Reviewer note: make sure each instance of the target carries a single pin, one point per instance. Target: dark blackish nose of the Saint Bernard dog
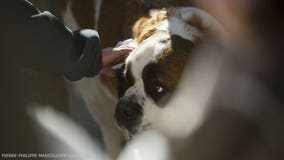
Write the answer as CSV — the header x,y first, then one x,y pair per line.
x,y
128,113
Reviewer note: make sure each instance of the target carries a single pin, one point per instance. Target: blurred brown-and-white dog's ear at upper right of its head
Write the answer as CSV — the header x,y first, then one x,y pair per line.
x,y
200,19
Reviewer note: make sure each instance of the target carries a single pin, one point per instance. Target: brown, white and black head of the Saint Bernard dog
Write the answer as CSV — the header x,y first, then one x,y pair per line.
x,y
152,71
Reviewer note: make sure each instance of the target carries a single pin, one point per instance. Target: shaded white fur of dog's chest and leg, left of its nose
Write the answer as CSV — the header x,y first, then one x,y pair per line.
x,y
101,105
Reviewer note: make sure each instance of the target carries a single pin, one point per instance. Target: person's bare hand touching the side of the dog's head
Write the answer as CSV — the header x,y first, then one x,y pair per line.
x,y
113,57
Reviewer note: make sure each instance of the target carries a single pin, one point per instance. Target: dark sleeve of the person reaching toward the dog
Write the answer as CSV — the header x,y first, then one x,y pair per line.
x,y
38,40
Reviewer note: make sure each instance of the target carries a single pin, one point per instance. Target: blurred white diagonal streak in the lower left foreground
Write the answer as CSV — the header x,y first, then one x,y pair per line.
x,y
67,130
